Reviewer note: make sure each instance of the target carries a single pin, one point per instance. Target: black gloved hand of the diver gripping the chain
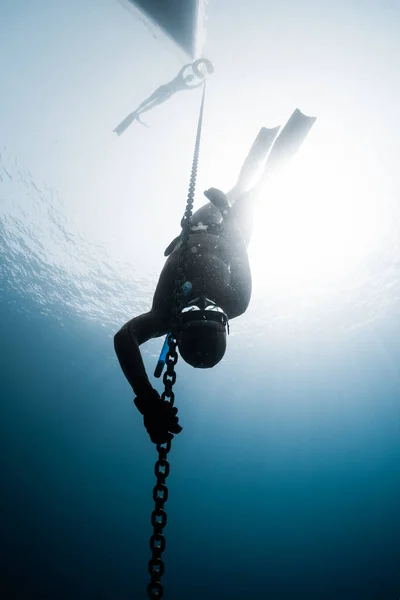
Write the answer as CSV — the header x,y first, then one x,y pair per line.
x,y
159,416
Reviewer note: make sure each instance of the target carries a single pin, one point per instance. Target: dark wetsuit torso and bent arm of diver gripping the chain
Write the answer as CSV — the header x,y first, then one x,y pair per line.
x,y
217,266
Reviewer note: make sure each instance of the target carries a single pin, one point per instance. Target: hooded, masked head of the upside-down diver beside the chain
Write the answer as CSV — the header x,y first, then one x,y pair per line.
x,y
202,333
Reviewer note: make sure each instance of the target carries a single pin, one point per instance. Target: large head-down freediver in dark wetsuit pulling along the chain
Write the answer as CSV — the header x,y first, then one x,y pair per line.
x,y
218,275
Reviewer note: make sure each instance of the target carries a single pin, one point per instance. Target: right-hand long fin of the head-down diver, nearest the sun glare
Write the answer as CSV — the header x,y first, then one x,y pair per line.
x,y
289,140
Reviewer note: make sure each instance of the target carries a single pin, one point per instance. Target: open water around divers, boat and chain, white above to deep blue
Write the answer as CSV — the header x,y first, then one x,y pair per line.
x,y
285,481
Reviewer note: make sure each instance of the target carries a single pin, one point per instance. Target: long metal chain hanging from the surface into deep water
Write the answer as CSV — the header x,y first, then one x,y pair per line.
x,y
161,470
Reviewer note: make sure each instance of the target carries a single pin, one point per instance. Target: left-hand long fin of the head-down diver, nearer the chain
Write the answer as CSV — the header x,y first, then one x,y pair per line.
x,y
254,160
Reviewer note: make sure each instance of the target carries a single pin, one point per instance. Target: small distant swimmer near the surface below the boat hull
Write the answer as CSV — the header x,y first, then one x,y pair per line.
x,y
183,81
